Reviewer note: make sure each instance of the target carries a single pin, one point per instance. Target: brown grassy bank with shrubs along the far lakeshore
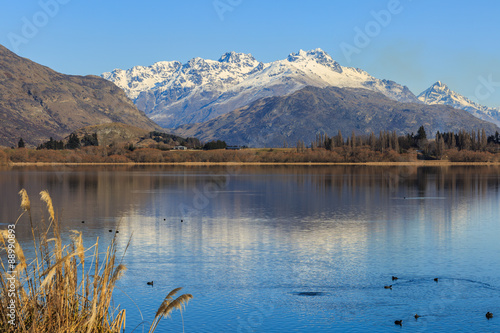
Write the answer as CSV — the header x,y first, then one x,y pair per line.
x,y
339,155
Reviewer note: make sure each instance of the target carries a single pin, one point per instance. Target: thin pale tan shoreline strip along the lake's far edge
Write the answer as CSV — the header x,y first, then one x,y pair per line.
x,y
419,163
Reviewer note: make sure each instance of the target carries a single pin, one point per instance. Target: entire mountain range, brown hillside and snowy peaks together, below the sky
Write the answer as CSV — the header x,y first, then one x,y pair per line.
x,y
236,98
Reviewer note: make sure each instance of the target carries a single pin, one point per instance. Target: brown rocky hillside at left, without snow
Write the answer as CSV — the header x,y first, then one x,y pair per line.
x,y
37,102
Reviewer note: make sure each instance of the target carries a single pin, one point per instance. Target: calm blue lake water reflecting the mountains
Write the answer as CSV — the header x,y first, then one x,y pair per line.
x,y
289,249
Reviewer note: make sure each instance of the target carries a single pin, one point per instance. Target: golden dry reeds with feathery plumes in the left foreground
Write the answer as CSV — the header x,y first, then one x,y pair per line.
x,y
63,288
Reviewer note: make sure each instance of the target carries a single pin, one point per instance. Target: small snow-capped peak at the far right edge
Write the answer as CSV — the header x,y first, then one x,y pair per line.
x,y
439,93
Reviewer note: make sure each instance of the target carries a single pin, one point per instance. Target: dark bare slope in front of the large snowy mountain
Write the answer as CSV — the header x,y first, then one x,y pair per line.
x,y
273,121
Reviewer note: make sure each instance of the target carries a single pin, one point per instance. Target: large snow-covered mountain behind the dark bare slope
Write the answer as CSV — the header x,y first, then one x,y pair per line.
x,y
173,94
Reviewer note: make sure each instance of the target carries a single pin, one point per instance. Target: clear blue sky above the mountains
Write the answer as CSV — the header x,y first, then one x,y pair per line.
x,y
415,43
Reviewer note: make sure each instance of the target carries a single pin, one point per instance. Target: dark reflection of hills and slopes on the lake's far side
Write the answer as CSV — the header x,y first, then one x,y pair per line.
x,y
308,197
